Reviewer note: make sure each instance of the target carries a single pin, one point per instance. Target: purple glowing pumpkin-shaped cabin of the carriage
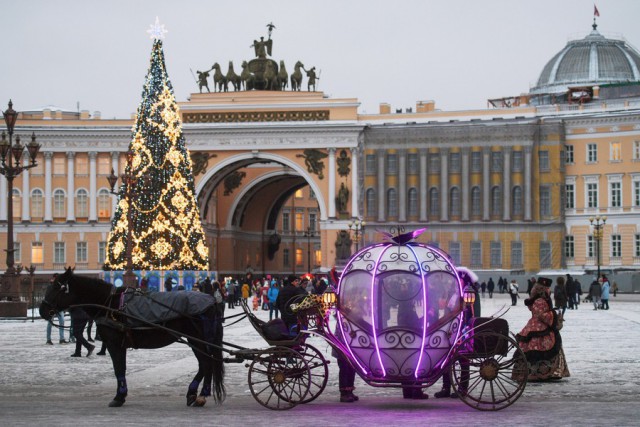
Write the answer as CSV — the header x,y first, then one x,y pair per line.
x,y
399,311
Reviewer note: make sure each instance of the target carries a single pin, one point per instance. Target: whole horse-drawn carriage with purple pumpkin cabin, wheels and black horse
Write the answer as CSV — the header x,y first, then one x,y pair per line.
x,y
401,315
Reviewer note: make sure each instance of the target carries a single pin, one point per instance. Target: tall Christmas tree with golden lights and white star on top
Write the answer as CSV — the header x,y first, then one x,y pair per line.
x,y
157,206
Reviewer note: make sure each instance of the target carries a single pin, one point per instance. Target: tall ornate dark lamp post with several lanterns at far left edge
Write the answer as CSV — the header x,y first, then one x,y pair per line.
x,y
11,166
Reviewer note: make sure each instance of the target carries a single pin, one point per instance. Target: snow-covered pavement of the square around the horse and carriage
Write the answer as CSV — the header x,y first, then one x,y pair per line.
x,y
42,385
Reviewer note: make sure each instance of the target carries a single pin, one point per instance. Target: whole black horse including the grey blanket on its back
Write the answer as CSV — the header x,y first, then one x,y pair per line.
x,y
120,329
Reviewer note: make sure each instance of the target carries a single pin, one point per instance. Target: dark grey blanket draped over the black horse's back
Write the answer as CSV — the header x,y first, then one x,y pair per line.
x,y
158,307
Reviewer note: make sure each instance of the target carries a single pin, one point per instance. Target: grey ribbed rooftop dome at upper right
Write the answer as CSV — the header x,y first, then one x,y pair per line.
x,y
594,60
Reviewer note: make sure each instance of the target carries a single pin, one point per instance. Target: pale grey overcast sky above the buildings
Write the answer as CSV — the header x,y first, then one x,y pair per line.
x,y
458,53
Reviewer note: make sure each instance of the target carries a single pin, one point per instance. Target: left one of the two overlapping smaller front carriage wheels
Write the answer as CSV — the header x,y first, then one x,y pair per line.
x,y
279,378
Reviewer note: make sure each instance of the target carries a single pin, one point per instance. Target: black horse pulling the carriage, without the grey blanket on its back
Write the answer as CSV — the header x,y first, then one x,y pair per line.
x,y
118,331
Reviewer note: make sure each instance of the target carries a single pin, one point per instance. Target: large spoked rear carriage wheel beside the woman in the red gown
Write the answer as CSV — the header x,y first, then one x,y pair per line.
x,y
491,371
